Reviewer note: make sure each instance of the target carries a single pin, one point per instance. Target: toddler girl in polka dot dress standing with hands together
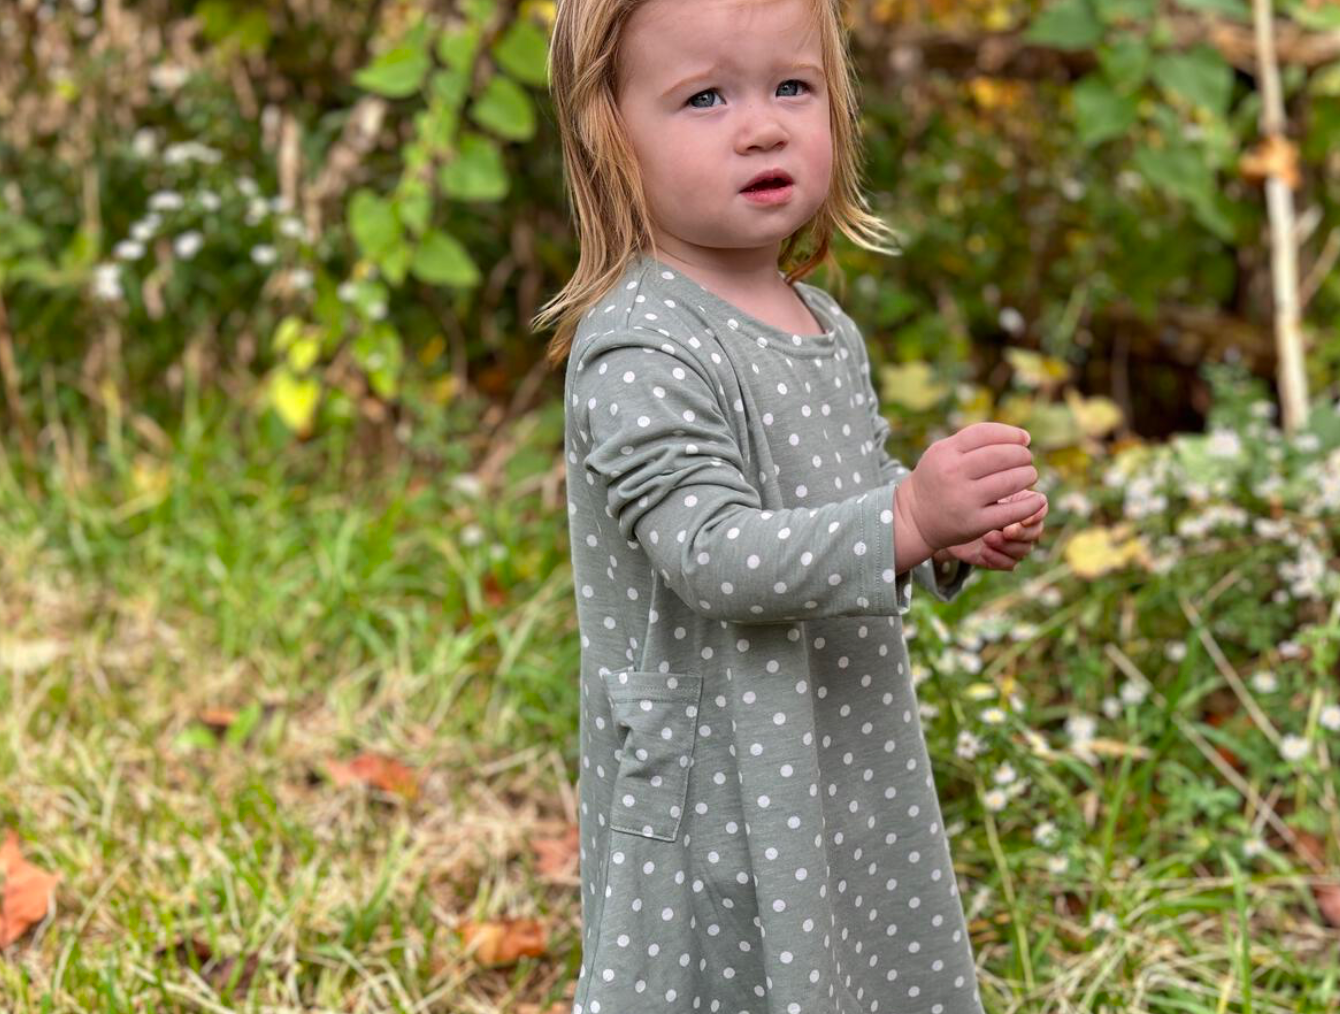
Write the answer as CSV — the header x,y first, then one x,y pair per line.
x,y
760,828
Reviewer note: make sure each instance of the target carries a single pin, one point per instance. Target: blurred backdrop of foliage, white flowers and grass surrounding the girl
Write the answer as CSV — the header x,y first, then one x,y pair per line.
x,y
282,484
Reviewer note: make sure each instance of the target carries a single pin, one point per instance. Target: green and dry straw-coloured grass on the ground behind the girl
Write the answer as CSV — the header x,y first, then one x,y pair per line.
x,y
413,613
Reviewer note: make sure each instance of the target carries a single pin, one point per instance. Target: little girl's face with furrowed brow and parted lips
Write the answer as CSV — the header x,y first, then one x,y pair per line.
x,y
715,92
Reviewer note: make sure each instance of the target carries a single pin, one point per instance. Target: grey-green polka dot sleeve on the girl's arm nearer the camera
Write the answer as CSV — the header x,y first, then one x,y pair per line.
x,y
675,478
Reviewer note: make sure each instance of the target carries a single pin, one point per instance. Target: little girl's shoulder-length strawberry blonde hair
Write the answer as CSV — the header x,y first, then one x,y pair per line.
x,y
609,204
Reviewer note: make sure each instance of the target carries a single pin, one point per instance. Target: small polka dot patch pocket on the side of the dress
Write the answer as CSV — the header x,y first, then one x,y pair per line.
x,y
659,712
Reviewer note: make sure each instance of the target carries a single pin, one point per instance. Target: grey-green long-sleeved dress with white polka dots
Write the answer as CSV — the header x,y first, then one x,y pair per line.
x,y
760,830
